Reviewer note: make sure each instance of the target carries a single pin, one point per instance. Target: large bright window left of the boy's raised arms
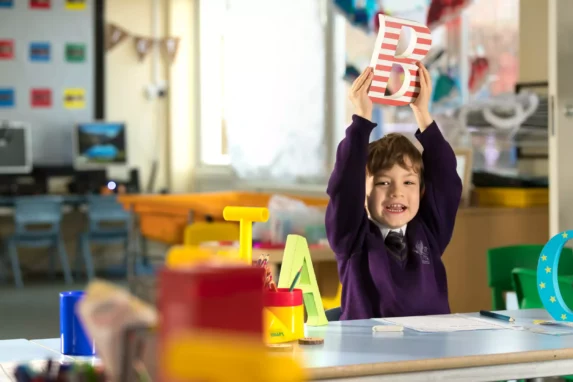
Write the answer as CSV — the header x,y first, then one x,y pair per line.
x,y
264,79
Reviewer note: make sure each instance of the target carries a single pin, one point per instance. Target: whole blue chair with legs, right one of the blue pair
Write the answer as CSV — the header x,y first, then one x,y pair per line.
x,y
102,211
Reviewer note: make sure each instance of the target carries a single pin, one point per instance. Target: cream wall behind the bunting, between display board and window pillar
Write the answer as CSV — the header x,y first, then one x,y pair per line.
x,y
126,79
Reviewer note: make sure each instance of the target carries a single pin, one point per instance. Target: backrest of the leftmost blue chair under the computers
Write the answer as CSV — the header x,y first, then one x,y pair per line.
x,y
42,210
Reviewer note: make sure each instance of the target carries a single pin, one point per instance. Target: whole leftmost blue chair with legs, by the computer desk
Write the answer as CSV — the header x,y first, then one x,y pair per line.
x,y
37,225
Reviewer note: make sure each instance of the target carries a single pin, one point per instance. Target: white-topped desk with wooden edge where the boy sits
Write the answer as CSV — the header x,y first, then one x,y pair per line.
x,y
352,352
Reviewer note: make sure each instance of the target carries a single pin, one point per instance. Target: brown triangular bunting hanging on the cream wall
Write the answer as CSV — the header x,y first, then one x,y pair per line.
x,y
143,44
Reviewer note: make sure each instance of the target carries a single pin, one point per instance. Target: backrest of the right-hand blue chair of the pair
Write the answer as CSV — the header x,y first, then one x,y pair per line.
x,y
105,209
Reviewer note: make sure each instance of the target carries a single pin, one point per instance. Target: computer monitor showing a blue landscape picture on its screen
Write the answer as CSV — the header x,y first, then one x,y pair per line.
x,y
99,144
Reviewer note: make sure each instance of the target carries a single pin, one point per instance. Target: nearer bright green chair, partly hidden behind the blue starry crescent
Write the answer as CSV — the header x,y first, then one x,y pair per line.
x,y
525,283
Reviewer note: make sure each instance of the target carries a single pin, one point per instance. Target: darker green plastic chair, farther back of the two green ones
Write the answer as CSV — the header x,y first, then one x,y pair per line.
x,y
501,262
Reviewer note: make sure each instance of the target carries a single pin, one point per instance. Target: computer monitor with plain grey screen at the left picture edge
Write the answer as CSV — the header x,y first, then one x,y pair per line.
x,y
15,147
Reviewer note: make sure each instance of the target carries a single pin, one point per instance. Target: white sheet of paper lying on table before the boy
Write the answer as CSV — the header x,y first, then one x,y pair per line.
x,y
446,323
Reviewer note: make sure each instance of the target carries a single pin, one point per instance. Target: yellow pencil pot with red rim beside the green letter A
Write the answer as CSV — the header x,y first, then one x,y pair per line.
x,y
283,315
